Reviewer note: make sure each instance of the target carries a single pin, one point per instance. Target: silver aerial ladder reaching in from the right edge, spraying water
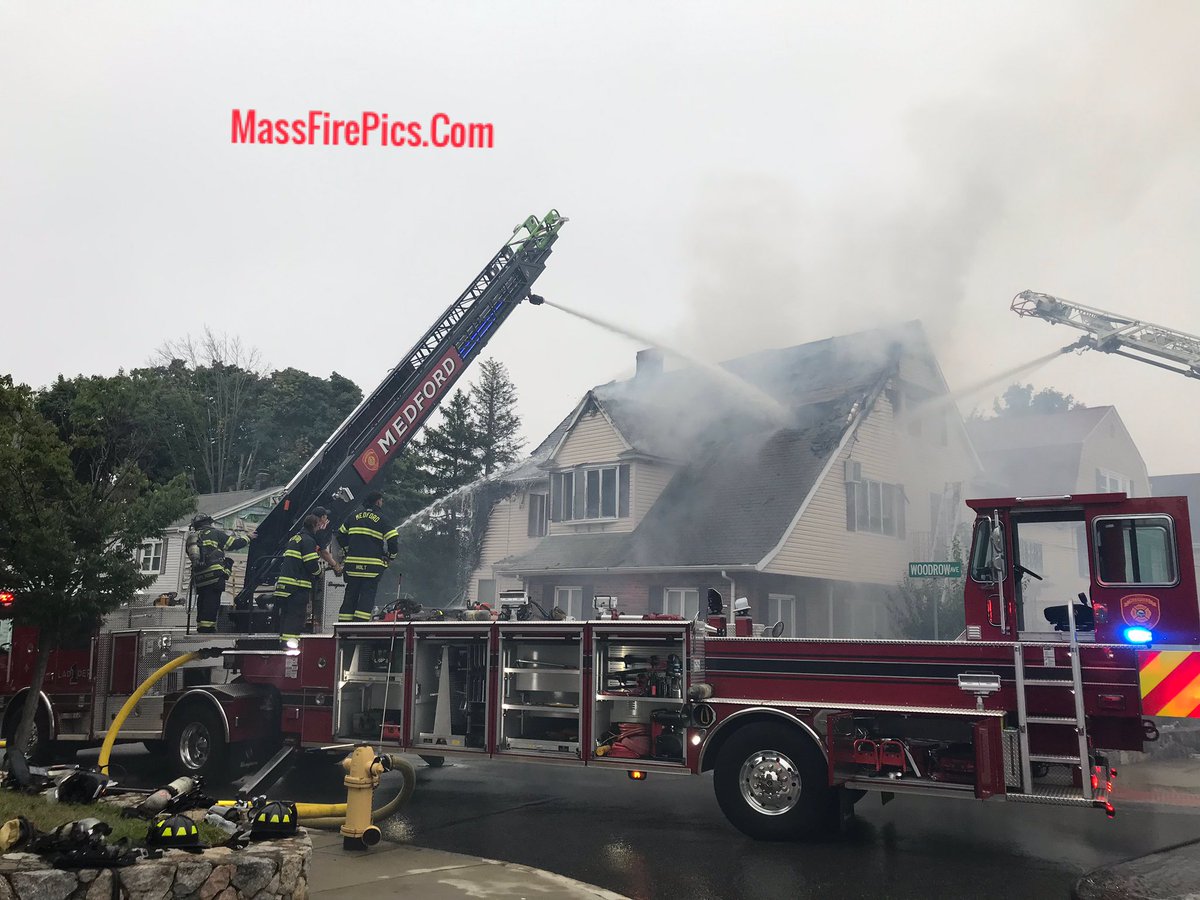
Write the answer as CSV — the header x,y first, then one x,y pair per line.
x,y
1144,341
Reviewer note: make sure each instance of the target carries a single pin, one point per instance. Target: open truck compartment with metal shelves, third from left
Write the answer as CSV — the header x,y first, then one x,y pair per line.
x,y
542,685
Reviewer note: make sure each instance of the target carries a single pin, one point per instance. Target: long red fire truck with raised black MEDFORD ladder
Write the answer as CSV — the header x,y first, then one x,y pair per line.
x,y
795,730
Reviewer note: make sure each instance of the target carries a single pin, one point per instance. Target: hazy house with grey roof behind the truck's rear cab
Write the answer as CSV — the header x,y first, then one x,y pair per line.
x,y
1084,451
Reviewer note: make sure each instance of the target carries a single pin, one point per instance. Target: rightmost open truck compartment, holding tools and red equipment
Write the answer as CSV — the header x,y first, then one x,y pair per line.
x,y
641,688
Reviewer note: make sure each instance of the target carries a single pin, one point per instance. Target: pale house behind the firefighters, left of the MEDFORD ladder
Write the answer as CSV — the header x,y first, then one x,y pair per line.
x,y
232,512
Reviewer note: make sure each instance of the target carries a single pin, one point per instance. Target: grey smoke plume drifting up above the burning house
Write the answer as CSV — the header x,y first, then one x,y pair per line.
x,y
1034,173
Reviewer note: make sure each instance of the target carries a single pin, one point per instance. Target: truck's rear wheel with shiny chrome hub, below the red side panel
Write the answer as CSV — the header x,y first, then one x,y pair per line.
x,y
772,784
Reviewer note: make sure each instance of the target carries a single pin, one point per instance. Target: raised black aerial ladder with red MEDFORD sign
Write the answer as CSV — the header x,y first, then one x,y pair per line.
x,y
385,423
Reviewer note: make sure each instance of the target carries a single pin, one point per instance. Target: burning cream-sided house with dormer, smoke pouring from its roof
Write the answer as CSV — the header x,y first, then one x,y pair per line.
x,y
805,479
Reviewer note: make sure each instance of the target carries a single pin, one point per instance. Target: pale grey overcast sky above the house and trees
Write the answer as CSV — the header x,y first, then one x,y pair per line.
x,y
739,176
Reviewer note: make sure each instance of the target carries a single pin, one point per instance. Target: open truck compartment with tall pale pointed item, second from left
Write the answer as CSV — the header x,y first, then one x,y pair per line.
x,y
451,693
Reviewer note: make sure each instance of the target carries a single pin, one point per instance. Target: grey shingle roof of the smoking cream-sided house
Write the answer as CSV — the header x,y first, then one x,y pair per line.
x,y
746,470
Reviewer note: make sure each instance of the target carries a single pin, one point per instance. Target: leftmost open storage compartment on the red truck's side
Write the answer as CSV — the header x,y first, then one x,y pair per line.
x,y
371,688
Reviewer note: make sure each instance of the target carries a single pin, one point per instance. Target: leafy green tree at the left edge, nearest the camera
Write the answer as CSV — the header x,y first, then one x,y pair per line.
x,y
75,513
